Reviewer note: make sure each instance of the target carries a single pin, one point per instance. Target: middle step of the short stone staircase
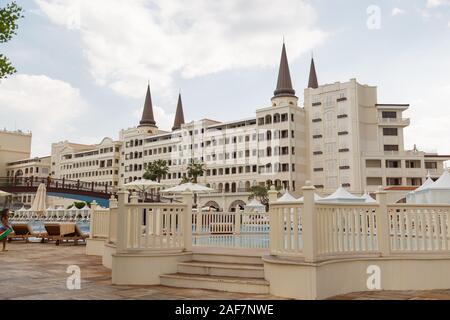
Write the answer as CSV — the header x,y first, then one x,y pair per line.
x,y
222,269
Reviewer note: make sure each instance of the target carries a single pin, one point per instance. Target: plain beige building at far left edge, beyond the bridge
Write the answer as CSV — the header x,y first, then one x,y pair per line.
x,y
14,145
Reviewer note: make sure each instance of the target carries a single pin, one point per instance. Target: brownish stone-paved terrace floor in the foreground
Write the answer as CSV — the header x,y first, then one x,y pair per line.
x,y
37,271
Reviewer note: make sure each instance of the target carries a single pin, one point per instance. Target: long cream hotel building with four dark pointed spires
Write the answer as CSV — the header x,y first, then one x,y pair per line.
x,y
341,136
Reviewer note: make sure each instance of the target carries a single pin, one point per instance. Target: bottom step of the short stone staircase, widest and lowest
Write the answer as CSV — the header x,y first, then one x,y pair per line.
x,y
227,284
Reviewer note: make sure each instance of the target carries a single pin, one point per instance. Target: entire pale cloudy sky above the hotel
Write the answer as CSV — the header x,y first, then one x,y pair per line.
x,y
83,65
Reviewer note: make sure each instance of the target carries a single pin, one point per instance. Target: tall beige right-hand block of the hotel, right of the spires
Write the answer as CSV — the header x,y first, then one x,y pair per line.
x,y
357,143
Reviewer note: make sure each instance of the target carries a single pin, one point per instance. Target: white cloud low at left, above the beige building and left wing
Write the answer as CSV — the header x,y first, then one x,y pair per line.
x,y
49,108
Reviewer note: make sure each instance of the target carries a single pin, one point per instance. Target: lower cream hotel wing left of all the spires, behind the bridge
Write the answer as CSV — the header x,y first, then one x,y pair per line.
x,y
87,163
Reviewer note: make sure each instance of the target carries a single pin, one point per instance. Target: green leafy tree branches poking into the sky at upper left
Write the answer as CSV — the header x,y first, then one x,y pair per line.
x,y
9,17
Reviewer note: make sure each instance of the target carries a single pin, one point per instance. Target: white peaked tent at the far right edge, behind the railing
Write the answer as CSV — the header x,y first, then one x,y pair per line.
x,y
432,192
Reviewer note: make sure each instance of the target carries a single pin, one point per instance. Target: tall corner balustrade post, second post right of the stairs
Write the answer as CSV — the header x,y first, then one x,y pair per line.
x,y
309,223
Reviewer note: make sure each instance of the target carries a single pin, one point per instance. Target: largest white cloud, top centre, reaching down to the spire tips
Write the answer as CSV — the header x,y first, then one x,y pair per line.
x,y
130,42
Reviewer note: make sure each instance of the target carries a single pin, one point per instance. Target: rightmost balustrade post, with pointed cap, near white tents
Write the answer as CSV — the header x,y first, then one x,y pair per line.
x,y
382,223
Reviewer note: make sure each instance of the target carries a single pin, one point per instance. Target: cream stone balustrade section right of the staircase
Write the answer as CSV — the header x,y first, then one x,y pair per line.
x,y
316,231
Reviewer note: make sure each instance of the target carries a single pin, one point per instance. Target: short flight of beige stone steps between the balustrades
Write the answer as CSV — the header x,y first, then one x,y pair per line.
x,y
221,272
